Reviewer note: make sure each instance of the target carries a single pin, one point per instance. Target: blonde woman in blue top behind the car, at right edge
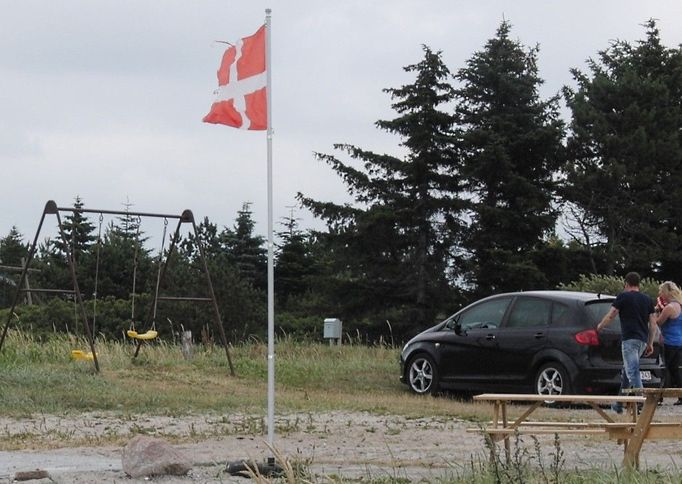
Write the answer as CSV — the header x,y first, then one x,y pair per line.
x,y
669,319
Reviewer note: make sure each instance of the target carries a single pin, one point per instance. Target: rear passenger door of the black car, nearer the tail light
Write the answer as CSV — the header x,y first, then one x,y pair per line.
x,y
523,333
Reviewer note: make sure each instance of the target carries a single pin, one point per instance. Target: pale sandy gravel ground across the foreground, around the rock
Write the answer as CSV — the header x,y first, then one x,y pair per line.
x,y
339,443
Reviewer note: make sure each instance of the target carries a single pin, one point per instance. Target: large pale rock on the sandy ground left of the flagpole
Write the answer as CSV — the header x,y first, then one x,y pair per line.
x,y
146,456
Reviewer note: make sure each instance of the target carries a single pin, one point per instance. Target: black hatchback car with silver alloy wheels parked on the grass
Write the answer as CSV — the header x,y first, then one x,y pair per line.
x,y
527,342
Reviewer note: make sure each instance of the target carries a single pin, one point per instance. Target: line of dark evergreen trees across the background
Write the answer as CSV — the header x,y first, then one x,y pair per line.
x,y
493,192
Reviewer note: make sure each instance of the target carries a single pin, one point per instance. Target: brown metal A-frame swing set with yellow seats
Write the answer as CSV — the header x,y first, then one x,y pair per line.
x,y
140,338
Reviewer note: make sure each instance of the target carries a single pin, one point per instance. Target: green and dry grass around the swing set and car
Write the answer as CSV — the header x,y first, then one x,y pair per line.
x,y
39,378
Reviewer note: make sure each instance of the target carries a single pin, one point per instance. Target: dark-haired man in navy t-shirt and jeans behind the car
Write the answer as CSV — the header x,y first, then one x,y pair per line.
x,y
638,329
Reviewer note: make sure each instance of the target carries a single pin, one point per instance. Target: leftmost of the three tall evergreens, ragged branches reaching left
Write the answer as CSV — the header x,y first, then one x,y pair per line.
x,y
392,248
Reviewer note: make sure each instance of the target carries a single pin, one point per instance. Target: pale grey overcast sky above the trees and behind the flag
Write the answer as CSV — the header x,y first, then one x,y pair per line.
x,y
104,98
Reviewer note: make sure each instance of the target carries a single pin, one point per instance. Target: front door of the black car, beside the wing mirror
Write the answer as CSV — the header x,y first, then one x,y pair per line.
x,y
471,345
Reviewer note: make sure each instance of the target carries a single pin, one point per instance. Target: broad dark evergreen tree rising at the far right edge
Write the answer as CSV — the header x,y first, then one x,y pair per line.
x,y
625,151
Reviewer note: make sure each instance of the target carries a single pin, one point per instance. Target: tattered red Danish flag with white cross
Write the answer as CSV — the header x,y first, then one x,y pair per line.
x,y
241,97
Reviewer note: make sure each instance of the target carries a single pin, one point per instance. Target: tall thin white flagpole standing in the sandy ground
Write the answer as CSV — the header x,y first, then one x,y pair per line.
x,y
271,271
